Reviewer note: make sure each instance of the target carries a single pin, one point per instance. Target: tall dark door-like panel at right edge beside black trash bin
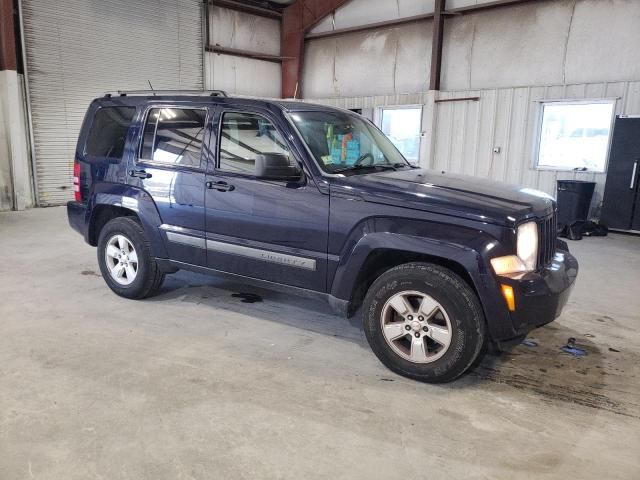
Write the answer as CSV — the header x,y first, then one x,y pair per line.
x,y
621,203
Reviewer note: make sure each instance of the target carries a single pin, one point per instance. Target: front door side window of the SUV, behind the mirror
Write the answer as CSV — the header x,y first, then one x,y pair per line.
x,y
242,137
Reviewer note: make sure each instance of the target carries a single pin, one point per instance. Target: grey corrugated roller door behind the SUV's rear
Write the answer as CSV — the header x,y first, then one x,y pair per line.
x,y
78,49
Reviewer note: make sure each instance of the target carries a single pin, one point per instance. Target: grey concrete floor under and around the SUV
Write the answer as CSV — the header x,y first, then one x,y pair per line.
x,y
196,384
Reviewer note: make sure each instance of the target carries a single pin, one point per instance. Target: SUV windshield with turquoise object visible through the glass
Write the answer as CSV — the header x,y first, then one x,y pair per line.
x,y
345,143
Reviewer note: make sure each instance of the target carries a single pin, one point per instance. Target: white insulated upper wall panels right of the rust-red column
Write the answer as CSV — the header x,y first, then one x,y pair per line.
x,y
552,42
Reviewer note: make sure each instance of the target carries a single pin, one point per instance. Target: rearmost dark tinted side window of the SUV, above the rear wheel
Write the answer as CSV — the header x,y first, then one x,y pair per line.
x,y
108,132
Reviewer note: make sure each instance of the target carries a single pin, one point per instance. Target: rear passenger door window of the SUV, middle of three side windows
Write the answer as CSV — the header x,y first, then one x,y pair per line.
x,y
174,136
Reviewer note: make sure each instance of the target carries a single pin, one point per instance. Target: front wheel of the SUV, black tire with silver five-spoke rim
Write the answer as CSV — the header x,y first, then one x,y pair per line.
x,y
433,347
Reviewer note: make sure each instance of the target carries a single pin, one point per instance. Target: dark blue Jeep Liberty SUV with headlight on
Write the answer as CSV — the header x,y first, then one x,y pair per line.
x,y
317,200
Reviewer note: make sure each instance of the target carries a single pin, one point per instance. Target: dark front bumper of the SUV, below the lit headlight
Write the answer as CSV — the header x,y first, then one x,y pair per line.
x,y
540,296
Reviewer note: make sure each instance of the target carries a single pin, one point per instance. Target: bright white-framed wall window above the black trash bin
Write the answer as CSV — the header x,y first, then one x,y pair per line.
x,y
575,135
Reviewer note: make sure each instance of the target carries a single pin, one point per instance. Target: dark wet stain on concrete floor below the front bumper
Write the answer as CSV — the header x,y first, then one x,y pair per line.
x,y
603,379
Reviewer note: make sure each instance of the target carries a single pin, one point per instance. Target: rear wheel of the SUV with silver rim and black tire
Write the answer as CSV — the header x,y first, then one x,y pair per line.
x,y
139,279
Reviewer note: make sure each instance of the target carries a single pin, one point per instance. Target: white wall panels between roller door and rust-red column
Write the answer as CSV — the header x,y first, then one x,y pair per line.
x,y
242,31
